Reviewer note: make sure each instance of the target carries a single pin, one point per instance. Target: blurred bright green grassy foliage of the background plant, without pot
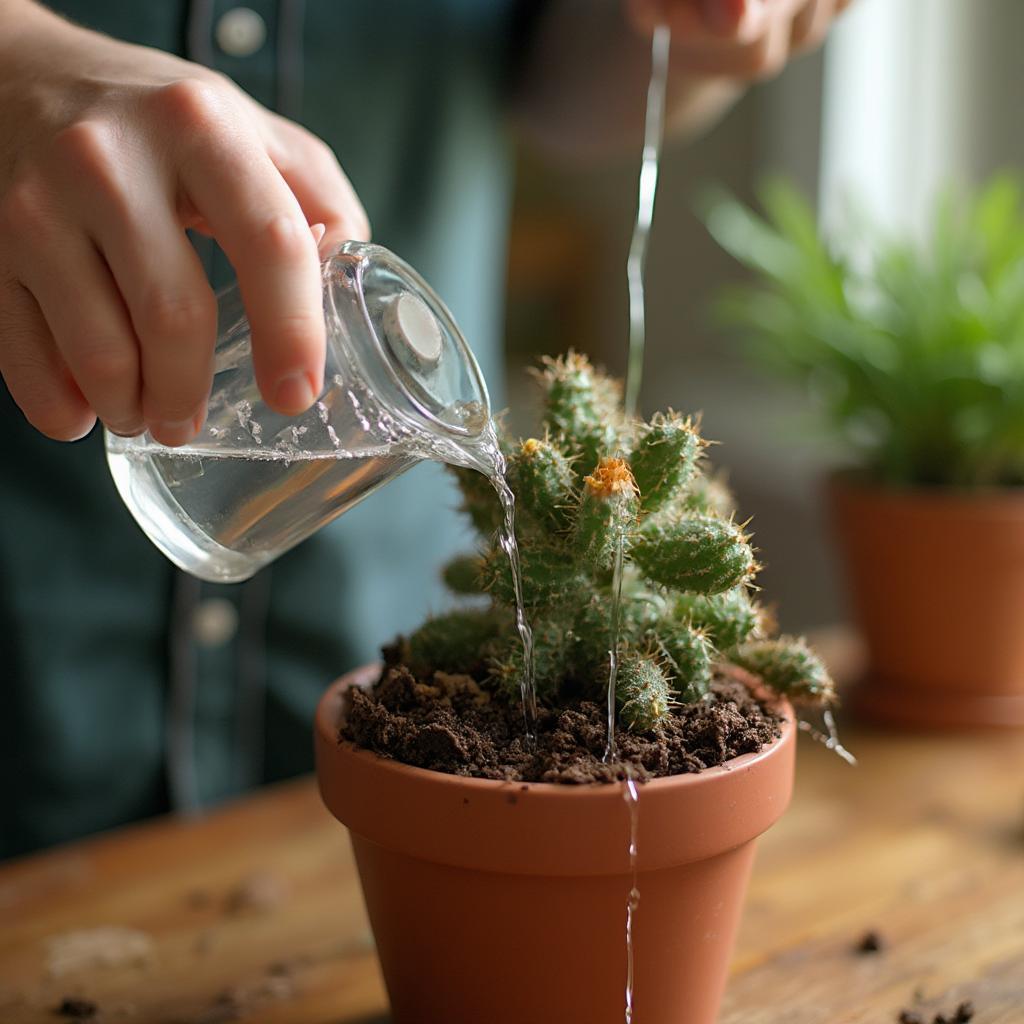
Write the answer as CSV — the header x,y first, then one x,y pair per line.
x,y
914,353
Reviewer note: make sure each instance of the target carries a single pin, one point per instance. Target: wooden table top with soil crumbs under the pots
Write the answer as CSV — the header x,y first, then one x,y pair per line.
x,y
254,913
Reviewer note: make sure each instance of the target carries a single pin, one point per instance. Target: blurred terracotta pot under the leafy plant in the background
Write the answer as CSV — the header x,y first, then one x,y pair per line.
x,y
937,586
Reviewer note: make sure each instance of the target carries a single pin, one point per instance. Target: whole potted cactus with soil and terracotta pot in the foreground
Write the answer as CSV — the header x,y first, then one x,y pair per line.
x,y
498,890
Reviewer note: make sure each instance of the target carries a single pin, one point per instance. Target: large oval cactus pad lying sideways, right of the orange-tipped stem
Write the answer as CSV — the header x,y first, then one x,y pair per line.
x,y
702,554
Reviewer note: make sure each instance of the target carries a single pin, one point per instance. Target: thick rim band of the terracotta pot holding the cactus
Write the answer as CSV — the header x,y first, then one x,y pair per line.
x,y
502,816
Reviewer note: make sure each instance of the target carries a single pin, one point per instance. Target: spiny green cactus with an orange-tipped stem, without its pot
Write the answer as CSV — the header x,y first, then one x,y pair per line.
x,y
596,484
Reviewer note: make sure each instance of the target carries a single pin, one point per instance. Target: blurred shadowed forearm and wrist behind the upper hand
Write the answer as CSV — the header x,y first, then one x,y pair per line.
x,y
584,83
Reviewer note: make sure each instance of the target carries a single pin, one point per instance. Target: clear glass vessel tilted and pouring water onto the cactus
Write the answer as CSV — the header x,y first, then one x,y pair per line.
x,y
401,386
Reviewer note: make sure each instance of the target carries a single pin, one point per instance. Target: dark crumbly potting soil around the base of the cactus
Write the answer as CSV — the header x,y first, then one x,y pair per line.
x,y
454,726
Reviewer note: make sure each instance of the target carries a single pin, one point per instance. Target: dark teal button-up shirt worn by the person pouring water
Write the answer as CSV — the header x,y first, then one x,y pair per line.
x,y
129,689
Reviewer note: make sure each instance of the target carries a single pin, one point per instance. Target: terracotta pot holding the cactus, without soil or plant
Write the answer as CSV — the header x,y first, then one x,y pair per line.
x,y
505,904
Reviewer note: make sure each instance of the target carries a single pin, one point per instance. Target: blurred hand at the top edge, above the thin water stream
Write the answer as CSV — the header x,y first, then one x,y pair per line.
x,y
737,39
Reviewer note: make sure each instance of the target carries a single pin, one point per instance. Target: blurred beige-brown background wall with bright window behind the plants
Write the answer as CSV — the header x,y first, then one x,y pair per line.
x,y
908,96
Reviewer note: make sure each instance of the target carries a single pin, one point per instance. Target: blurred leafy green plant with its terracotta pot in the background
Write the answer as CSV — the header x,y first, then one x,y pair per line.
x,y
914,355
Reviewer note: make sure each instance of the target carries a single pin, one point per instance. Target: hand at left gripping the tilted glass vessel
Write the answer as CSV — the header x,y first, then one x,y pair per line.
x,y
108,153
